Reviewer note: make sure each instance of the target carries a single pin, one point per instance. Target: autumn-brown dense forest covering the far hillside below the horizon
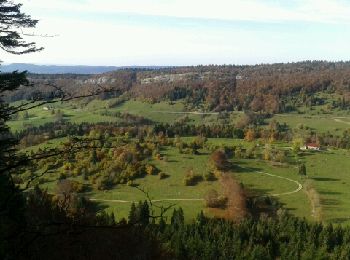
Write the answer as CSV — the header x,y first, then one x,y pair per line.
x,y
268,88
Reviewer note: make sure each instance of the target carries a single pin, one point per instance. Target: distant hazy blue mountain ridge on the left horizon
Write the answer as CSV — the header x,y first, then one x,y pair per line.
x,y
58,69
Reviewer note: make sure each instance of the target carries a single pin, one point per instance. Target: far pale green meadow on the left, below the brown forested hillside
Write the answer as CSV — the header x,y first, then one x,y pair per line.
x,y
162,112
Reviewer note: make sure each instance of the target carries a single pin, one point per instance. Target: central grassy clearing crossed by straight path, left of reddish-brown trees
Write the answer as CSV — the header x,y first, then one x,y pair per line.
x,y
171,187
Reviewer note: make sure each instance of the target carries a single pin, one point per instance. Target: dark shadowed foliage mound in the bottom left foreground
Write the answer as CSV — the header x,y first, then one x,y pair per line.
x,y
54,231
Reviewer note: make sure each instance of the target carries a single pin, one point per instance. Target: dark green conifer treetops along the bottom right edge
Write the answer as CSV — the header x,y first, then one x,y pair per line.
x,y
283,237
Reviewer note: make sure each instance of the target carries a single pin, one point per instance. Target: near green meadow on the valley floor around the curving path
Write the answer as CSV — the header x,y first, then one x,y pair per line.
x,y
328,171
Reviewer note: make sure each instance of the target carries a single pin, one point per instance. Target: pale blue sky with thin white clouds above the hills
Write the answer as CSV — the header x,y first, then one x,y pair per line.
x,y
187,32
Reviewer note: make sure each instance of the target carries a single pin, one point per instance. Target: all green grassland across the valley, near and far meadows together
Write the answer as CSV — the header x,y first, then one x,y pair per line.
x,y
327,171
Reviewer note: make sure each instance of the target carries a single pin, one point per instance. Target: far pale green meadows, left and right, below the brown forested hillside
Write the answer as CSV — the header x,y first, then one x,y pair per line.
x,y
165,112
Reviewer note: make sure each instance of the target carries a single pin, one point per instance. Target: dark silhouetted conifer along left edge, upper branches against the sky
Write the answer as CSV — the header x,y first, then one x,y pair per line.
x,y
12,22
